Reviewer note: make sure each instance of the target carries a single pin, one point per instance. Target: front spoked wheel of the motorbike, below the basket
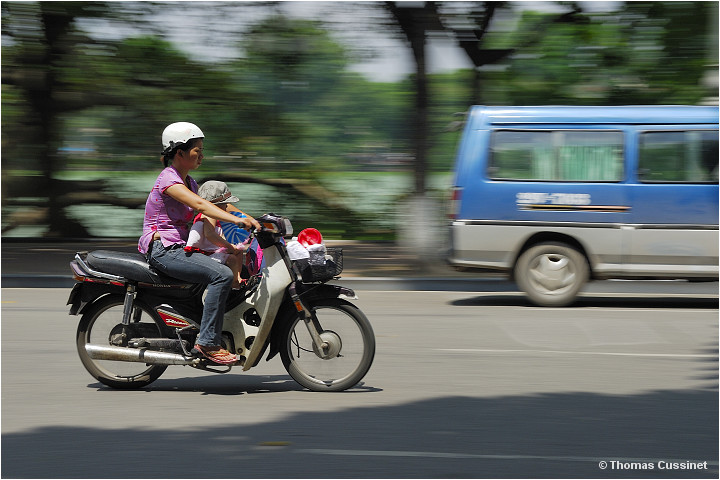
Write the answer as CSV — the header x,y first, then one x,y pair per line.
x,y
346,359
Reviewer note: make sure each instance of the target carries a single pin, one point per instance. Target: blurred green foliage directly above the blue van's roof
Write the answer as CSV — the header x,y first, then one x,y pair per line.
x,y
646,53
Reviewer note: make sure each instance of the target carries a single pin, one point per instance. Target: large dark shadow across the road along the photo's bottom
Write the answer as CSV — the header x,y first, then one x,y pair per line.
x,y
549,435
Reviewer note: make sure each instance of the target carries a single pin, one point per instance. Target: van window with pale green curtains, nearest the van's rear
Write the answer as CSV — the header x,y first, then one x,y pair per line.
x,y
556,155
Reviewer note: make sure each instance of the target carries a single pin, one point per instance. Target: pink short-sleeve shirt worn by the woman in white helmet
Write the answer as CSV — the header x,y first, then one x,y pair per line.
x,y
164,214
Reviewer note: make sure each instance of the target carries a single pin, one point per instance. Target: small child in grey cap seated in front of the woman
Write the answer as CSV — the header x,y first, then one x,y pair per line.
x,y
206,235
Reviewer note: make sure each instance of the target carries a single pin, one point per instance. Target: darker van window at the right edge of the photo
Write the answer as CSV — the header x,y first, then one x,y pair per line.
x,y
679,156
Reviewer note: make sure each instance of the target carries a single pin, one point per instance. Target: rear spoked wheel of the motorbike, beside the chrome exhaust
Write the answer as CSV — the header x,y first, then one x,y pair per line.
x,y
102,325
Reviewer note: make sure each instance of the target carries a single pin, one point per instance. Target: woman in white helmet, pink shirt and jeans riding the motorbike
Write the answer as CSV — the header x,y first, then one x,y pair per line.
x,y
169,208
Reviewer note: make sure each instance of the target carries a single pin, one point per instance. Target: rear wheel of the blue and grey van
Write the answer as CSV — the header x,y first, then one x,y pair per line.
x,y
551,274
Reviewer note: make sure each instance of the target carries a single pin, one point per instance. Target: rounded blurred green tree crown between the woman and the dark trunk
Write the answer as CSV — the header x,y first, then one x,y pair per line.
x,y
314,110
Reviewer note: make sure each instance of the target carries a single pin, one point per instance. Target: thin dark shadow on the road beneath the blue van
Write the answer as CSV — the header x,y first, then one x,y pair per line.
x,y
593,302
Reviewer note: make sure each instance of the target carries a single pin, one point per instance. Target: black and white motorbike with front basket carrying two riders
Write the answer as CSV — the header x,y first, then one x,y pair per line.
x,y
136,322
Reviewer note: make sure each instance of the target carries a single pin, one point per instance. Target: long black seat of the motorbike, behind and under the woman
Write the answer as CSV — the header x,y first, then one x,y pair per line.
x,y
132,266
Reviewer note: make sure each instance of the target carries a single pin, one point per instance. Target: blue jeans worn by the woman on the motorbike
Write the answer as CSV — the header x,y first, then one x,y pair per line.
x,y
198,268
